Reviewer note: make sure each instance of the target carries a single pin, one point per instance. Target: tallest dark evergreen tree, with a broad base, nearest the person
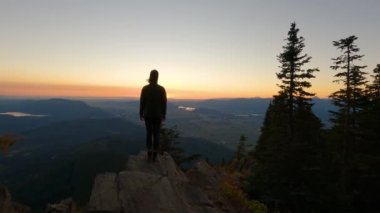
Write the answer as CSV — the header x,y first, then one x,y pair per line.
x,y
285,171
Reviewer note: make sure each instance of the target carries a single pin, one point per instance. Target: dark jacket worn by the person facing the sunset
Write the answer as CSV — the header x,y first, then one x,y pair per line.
x,y
153,101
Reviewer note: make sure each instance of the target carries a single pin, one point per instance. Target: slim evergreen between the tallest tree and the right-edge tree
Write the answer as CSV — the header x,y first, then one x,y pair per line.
x,y
350,102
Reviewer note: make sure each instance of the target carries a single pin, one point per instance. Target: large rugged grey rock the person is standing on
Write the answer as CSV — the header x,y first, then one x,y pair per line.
x,y
149,187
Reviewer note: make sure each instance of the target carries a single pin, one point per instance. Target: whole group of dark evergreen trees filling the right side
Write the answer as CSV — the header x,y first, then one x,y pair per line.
x,y
299,166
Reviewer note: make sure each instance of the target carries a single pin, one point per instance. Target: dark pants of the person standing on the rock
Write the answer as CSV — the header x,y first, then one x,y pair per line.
x,y
153,126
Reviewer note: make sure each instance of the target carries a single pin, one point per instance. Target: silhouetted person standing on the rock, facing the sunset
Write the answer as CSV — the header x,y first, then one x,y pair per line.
x,y
153,111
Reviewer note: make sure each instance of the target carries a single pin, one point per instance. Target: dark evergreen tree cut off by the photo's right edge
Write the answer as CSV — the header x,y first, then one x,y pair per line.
x,y
365,167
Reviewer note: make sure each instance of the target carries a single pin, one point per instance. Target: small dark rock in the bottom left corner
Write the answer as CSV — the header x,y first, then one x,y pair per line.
x,y
6,204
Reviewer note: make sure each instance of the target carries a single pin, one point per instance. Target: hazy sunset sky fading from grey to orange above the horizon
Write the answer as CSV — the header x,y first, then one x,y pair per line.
x,y
201,48
